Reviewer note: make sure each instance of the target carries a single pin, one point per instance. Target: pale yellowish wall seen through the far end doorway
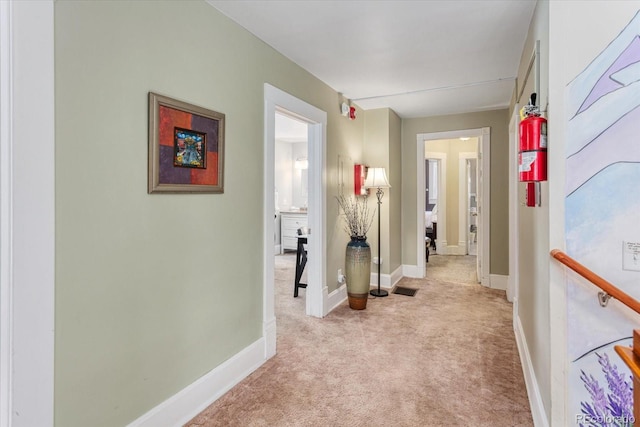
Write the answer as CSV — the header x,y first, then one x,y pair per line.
x,y
452,148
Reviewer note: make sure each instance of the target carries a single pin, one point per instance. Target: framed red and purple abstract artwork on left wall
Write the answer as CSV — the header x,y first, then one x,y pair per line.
x,y
186,147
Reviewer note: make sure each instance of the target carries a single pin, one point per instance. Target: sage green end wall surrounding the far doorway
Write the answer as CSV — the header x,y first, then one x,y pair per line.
x,y
498,121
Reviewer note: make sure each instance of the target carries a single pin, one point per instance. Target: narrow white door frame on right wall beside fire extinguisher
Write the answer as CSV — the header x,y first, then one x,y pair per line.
x,y
512,285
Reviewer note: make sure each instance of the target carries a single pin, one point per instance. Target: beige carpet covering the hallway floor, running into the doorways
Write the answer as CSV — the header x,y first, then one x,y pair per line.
x,y
445,357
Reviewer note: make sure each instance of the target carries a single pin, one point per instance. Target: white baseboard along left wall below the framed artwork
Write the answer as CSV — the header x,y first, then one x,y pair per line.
x,y
193,399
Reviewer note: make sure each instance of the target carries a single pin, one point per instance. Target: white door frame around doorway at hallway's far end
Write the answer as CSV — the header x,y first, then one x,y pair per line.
x,y
484,211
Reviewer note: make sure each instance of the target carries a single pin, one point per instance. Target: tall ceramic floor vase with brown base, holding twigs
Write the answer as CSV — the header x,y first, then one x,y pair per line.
x,y
358,272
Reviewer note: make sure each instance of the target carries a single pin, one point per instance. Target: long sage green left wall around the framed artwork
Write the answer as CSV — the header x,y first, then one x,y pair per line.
x,y
154,291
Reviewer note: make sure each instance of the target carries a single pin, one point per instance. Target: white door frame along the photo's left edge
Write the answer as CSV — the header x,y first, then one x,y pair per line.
x,y
27,213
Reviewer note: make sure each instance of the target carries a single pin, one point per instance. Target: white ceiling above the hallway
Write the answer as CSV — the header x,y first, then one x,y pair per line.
x,y
419,58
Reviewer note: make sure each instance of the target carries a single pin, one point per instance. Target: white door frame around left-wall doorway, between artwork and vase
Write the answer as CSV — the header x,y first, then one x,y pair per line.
x,y
278,100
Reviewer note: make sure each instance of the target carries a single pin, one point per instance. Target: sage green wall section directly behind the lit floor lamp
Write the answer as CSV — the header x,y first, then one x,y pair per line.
x,y
382,149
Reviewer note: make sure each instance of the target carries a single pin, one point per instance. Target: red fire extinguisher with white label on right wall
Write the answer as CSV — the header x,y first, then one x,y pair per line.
x,y
532,151
